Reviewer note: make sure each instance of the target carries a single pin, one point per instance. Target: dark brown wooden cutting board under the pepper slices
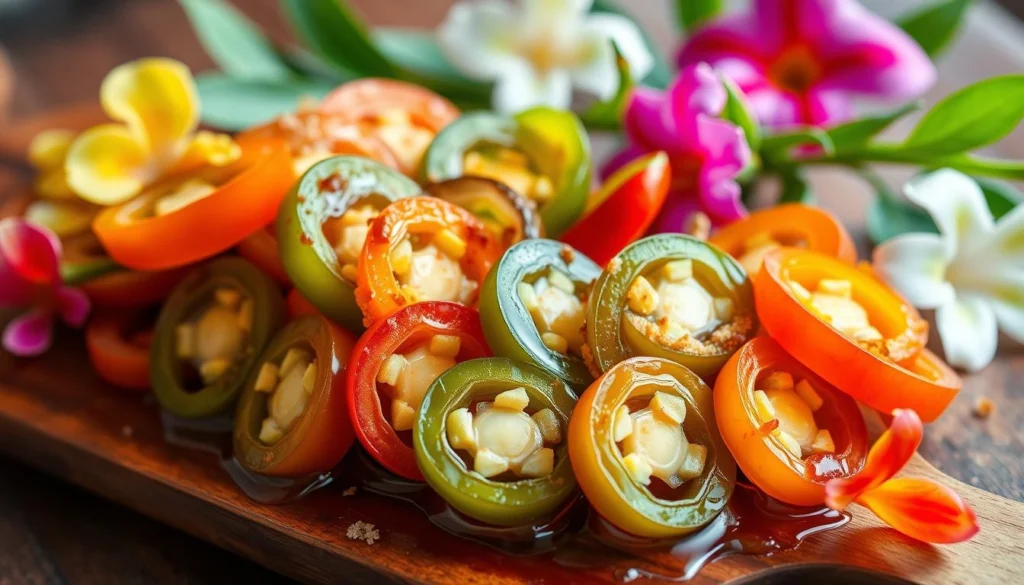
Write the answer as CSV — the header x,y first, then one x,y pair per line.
x,y
57,415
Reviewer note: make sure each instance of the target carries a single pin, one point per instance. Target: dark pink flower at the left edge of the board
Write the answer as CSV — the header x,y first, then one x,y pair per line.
x,y
30,280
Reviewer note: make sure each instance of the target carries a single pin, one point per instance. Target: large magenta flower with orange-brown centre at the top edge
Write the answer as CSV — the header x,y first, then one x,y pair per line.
x,y
801,62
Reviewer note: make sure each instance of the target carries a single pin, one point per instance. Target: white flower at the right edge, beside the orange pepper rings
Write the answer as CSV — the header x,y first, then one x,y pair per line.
x,y
972,274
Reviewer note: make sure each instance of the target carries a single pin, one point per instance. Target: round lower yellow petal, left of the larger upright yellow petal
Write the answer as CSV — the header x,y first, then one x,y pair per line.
x,y
108,165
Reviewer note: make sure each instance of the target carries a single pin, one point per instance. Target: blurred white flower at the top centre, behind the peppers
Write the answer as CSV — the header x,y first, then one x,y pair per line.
x,y
536,51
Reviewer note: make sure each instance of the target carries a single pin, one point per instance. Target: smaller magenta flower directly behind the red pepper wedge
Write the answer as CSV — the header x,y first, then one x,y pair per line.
x,y
706,153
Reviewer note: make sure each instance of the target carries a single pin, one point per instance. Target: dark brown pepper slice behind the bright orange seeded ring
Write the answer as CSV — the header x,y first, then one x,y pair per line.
x,y
510,216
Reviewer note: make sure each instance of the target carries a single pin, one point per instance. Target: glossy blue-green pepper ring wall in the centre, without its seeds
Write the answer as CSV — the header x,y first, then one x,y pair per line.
x,y
511,330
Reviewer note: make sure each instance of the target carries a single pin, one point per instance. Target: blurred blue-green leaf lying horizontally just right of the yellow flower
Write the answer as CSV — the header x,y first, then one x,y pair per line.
x,y
233,104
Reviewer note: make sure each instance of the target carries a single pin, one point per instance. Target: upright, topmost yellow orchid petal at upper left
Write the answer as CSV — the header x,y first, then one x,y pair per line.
x,y
157,98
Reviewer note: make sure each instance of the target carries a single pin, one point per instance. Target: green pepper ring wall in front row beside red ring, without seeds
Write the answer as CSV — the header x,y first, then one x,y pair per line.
x,y
492,502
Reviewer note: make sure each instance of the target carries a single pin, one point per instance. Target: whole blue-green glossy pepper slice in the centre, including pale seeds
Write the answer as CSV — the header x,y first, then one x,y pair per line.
x,y
534,305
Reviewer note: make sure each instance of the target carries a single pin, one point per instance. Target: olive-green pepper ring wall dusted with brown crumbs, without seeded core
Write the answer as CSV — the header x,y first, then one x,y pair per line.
x,y
612,338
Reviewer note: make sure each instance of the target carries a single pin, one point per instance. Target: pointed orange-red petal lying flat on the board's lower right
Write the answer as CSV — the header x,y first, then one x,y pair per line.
x,y
922,510
